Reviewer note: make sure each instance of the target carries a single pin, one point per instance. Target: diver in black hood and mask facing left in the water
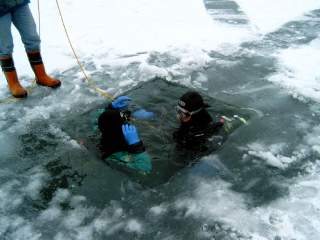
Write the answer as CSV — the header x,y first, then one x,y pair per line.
x,y
196,123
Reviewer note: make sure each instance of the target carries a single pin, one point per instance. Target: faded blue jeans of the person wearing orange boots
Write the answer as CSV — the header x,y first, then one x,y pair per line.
x,y
24,22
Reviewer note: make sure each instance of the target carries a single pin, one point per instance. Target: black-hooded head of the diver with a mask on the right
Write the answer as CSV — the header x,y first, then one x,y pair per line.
x,y
189,104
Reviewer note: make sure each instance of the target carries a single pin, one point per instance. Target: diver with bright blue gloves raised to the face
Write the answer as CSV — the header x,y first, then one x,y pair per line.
x,y
120,143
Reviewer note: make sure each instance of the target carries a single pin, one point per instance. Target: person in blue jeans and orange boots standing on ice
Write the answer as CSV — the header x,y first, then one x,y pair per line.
x,y
18,13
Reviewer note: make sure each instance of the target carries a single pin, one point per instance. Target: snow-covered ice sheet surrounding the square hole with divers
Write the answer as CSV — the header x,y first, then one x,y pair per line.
x,y
263,183
